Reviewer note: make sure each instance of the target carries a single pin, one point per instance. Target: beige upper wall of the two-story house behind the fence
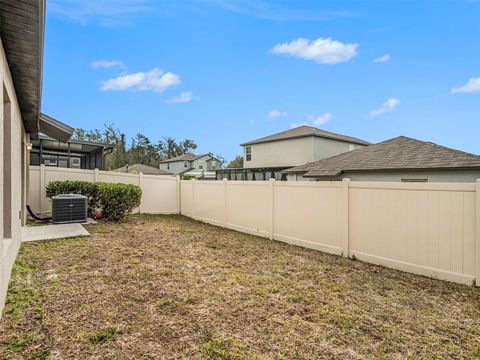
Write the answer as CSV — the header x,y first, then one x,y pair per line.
x,y
294,152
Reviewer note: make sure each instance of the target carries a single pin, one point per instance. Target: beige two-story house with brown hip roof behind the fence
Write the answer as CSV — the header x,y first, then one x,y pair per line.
x,y
267,157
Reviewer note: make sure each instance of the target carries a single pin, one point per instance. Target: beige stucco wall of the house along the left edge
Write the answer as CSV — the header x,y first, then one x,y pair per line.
x,y
9,247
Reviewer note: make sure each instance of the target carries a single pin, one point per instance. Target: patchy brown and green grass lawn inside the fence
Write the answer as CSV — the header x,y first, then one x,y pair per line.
x,y
170,287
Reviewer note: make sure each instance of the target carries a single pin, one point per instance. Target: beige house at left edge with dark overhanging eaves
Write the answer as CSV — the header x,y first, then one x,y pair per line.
x,y
21,61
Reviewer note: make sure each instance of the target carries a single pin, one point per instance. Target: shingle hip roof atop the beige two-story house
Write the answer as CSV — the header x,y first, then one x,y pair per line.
x,y
305,131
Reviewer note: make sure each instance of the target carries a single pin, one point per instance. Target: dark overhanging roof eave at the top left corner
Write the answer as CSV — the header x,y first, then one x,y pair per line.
x,y
22,24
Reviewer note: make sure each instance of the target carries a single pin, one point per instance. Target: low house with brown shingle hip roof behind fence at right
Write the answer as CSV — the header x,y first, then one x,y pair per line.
x,y
398,159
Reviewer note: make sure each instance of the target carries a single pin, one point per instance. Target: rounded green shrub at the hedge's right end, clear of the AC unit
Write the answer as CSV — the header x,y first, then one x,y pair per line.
x,y
118,200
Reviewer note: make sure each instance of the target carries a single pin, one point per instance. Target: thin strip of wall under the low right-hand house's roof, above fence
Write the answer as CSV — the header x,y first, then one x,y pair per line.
x,y
452,176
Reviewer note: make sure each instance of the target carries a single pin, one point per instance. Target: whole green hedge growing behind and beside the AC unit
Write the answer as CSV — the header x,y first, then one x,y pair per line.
x,y
116,201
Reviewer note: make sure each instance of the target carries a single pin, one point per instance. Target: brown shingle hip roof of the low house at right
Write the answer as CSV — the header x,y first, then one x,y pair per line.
x,y
400,153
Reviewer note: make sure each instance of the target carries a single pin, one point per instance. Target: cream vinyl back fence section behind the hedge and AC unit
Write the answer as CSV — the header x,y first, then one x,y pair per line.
x,y
159,193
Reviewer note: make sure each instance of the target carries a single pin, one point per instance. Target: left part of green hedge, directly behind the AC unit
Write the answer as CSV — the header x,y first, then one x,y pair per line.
x,y
85,188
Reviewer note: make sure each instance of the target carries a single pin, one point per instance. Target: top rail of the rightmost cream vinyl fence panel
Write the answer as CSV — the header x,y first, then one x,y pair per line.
x,y
462,187
